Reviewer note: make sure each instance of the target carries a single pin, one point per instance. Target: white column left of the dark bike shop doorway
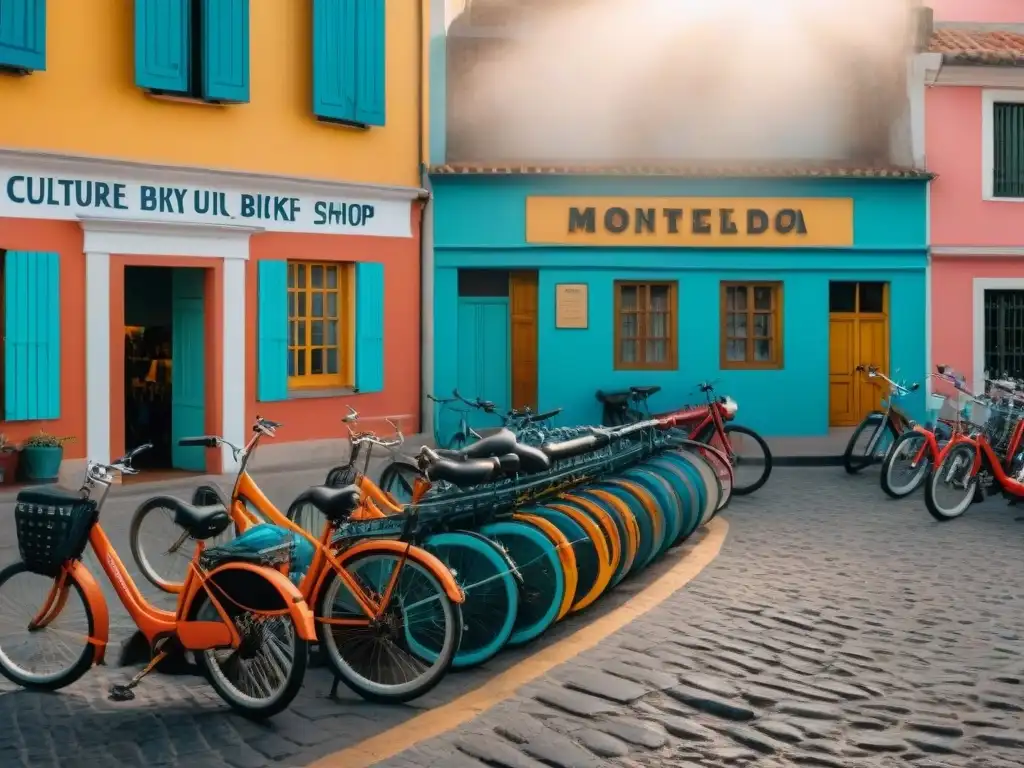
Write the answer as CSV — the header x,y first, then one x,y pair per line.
x,y
98,357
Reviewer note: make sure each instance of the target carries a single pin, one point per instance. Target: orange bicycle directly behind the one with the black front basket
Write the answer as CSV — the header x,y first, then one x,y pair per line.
x,y
388,613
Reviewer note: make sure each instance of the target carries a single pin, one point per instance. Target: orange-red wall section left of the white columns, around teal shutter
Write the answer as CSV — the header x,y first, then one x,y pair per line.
x,y
65,238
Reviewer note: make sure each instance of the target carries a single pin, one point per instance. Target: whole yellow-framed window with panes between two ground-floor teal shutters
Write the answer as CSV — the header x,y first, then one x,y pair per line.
x,y
321,306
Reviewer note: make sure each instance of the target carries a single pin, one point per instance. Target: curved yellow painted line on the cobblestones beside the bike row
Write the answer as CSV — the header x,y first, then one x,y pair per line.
x,y
451,716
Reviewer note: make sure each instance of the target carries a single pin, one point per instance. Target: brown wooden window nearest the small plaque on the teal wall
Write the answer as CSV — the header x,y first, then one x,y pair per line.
x,y
646,326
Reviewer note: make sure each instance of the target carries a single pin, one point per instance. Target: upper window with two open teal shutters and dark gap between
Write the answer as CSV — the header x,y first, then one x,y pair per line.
x,y
194,50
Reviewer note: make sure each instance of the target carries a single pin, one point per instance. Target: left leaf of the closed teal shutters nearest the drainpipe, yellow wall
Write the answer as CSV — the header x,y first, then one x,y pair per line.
x,y
335,48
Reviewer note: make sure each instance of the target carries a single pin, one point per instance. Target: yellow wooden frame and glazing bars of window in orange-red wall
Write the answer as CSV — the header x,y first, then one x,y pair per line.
x,y
347,326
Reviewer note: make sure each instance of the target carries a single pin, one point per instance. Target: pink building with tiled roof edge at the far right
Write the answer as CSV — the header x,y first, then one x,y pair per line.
x,y
974,143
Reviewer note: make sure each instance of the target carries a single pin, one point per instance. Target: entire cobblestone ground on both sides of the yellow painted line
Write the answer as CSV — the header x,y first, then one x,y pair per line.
x,y
837,629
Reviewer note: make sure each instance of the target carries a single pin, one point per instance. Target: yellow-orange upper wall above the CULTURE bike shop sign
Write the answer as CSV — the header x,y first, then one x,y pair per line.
x,y
87,102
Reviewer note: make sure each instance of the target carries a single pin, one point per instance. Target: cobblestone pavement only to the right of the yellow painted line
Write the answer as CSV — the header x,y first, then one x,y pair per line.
x,y
837,629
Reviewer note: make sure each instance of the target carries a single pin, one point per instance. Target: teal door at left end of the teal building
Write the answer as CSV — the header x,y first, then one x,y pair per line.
x,y
485,355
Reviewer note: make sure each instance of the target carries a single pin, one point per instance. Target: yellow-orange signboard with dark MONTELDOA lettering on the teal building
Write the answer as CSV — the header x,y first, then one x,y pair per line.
x,y
693,223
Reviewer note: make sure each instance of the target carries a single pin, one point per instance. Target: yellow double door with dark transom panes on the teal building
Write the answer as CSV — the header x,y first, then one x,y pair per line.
x,y
859,335
